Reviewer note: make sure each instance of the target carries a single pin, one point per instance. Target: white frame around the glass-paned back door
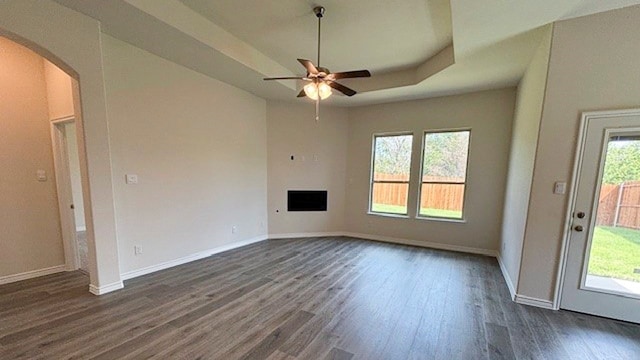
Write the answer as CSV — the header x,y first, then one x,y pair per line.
x,y
577,167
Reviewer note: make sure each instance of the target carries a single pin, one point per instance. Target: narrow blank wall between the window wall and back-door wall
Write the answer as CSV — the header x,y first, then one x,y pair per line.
x,y
524,141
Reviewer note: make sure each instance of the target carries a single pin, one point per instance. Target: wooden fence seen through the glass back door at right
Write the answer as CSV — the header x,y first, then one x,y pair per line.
x,y
619,205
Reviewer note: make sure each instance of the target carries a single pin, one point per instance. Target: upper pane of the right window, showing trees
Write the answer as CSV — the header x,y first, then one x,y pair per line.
x,y
445,156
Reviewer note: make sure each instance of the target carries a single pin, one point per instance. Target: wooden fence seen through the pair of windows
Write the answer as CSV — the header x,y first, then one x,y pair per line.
x,y
434,196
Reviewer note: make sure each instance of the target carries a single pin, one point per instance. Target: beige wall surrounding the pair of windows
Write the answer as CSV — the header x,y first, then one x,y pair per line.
x,y
489,115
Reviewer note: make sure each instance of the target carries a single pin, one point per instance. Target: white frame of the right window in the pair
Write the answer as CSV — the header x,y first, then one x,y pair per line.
x,y
462,218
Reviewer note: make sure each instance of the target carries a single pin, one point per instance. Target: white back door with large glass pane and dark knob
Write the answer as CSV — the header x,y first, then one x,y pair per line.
x,y
602,272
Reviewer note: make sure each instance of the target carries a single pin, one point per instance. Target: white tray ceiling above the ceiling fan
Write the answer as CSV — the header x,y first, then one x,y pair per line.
x,y
414,48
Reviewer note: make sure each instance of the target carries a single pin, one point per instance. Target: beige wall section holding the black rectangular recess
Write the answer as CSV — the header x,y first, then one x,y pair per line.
x,y
320,163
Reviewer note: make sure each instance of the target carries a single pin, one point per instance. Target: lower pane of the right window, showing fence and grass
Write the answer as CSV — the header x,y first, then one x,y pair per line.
x,y
442,200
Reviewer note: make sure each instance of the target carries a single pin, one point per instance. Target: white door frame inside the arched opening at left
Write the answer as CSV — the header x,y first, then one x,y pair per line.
x,y
65,195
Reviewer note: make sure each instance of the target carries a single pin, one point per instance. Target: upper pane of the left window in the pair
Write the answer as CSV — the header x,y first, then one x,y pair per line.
x,y
392,157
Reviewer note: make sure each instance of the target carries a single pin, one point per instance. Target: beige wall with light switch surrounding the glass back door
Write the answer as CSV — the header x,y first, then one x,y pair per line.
x,y
593,66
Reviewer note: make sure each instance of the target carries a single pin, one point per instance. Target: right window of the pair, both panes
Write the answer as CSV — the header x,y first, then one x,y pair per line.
x,y
444,174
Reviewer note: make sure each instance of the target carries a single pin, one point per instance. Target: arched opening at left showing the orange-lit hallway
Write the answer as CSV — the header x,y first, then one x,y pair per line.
x,y
39,143
